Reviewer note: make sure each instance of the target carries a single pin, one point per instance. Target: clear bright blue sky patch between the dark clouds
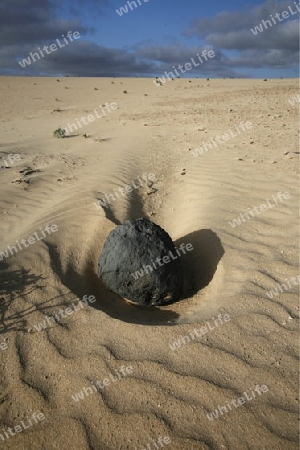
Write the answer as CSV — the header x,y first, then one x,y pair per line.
x,y
156,21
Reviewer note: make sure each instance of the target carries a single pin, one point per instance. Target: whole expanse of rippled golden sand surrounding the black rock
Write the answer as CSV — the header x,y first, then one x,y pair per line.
x,y
165,393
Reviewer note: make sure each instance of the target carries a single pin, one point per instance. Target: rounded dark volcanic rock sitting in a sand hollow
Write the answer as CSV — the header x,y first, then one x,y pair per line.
x,y
128,263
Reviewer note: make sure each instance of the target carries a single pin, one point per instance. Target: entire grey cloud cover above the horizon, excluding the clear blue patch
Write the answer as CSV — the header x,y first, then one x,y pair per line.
x,y
26,25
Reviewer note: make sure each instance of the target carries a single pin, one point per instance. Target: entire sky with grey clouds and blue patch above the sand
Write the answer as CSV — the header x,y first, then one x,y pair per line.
x,y
151,38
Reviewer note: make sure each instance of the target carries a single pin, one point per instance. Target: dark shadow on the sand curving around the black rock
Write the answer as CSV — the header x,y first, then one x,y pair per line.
x,y
199,266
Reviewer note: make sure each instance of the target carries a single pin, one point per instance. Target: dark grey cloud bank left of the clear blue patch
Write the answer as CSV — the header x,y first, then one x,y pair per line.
x,y
26,25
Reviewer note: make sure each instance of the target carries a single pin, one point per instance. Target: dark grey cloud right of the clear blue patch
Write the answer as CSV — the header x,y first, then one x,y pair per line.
x,y
275,47
